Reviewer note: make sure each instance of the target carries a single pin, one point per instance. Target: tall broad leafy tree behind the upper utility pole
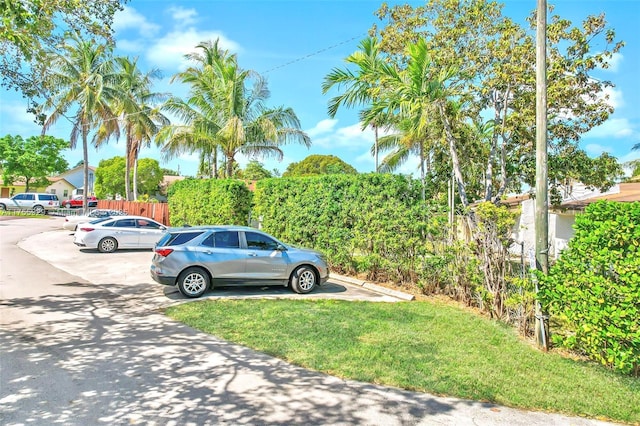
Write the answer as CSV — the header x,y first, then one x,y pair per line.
x,y
493,56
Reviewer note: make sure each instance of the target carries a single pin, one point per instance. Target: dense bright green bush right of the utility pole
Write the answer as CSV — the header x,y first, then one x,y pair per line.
x,y
594,287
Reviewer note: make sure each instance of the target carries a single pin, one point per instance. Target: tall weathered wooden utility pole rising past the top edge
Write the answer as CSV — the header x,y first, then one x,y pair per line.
x,y
542,196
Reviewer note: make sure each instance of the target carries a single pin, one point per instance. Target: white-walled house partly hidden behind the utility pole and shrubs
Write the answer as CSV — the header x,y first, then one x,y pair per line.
x,y
562,217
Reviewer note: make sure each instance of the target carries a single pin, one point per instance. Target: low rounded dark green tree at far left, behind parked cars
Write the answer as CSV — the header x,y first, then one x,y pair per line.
x,y
31,160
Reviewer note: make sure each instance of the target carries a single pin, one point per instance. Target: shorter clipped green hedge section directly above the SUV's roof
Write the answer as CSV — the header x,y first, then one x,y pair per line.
x,y
209,202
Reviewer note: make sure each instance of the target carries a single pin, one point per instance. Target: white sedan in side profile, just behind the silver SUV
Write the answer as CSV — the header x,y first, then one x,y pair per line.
x,y
119,232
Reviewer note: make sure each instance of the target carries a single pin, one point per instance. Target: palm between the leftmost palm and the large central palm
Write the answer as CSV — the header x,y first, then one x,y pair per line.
x,y
140,115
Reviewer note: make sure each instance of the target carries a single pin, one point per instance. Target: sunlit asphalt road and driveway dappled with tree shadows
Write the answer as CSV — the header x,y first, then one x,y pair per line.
x,y
84,342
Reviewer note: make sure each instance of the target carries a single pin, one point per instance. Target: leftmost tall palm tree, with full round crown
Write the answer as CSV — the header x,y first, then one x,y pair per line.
x,y
83,78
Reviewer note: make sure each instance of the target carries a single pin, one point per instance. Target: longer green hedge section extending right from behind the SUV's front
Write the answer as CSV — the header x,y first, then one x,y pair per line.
x,y
368,223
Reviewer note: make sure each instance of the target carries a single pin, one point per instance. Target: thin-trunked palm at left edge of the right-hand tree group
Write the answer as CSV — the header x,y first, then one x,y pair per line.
x,y
362,86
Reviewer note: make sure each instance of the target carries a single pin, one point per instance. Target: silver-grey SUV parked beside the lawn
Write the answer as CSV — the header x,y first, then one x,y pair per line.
x,y
197,258
